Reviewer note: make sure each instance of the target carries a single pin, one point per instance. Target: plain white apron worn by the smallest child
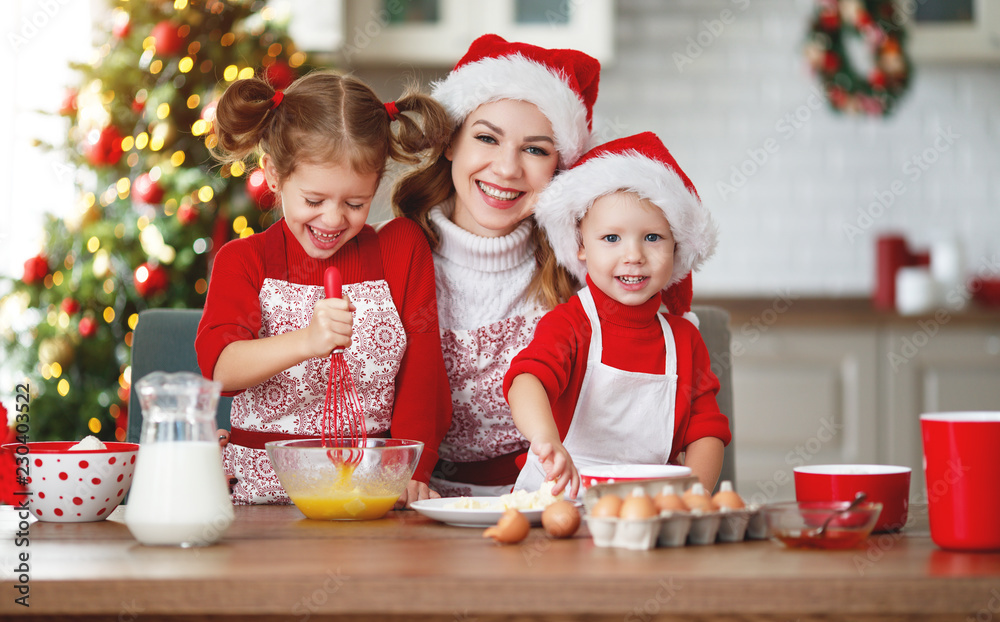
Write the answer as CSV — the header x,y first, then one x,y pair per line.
x,y
621,416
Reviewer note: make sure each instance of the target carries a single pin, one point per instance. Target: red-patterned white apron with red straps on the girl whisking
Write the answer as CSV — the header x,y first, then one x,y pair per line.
x,y
290,404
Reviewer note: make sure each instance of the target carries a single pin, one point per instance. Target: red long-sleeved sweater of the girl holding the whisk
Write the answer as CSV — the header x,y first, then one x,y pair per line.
x,y
422,405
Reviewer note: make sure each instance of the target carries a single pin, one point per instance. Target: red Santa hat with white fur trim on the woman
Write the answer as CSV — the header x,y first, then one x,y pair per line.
x,y
562,83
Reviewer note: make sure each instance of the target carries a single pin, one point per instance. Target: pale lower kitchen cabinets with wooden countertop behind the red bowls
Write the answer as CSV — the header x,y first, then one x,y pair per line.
x,y
836,382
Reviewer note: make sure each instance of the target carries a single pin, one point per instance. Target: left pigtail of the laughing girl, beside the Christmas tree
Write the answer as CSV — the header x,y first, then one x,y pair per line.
x,y
242,119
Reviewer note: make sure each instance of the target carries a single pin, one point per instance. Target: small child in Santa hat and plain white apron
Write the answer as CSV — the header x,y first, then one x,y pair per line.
x,y
608,379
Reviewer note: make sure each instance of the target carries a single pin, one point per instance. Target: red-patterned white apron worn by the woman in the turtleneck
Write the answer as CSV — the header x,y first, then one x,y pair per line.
x,y
481,426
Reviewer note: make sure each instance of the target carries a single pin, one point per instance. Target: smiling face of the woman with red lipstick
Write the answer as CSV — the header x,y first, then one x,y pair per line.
x,y
502,157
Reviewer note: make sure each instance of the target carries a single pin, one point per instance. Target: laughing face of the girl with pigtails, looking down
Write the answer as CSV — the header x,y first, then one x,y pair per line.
x,y
324,205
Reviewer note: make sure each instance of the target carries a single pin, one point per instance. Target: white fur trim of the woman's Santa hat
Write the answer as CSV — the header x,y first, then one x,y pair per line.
x,y
517,77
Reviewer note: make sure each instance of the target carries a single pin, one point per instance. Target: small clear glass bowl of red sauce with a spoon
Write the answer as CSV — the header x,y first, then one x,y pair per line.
x,y
796,524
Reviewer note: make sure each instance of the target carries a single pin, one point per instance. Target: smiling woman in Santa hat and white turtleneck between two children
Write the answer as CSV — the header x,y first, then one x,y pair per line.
x,y
521,112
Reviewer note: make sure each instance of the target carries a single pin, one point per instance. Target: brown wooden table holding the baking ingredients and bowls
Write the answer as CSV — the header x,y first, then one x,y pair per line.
x,y
273,564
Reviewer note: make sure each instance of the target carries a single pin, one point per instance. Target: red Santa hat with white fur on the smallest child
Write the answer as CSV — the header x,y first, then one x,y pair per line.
x,y
639,164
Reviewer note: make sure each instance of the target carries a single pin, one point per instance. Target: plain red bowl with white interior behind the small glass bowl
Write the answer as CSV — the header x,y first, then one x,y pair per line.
x,y
888,485
